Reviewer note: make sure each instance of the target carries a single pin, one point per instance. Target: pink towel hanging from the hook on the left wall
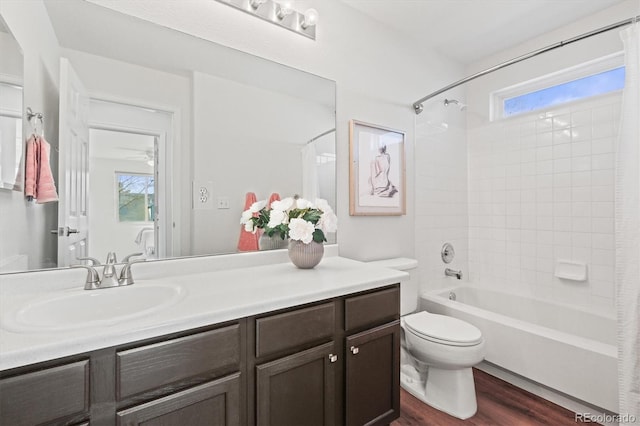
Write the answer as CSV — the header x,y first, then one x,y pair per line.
x,y
39,183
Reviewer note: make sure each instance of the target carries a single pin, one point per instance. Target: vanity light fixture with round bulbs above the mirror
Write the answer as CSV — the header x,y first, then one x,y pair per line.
x,y
281,13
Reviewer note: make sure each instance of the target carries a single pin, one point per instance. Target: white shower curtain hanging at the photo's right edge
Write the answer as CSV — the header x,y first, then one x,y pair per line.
x,y
627,213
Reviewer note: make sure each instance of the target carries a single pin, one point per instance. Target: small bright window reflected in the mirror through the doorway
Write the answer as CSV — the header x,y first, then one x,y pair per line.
x,y
136,197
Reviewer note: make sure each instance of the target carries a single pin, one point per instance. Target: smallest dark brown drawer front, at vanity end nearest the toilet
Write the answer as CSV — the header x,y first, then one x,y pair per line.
x,y
372,309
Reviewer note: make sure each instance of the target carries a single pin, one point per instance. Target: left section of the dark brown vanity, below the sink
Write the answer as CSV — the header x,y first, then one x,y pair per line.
x,y
190,378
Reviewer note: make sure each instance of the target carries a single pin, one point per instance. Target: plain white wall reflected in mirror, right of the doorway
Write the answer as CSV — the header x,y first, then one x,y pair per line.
x,y
232,151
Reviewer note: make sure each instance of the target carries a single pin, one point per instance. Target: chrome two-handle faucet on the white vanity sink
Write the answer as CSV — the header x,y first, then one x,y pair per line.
x,y
109,276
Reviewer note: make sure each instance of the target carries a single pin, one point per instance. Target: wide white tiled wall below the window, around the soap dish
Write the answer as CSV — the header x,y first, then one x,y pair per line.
x,y
541,188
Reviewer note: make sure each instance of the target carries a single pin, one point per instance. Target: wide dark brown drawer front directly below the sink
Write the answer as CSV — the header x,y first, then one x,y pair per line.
x,y
153,366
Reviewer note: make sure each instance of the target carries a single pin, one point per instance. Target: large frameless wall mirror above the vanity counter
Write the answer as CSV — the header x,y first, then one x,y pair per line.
x,y
164,138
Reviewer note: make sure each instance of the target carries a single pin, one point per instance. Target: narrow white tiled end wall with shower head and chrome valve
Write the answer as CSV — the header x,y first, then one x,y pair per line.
x,y
441,206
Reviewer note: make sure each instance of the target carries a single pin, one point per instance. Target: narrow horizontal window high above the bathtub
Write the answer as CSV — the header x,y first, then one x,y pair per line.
x,y
587,80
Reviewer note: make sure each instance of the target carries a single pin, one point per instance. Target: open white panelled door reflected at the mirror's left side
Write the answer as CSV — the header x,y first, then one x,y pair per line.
x,y
74,167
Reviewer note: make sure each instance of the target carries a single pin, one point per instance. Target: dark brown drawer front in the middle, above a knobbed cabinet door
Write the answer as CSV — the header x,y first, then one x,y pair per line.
x,y
291,330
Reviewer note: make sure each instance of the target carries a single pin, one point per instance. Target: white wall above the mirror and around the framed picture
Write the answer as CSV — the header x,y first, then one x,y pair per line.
x,y
378,73
